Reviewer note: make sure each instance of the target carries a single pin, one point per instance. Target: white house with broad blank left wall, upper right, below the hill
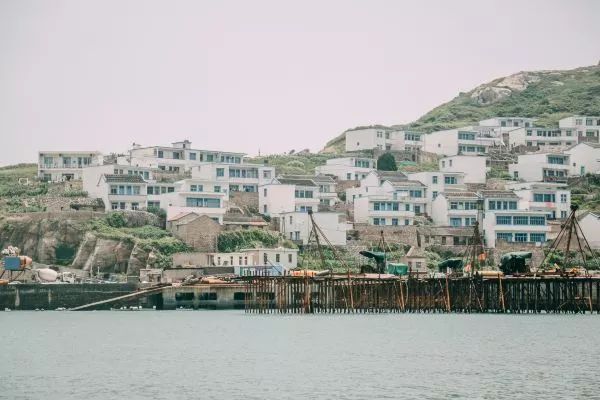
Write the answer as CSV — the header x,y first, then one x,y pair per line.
x,y
541,167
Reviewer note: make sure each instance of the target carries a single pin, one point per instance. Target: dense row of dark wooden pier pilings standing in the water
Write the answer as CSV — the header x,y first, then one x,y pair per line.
x,y
353,294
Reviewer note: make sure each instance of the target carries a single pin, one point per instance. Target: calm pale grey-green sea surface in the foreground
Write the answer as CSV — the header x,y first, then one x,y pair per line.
x,y
230,355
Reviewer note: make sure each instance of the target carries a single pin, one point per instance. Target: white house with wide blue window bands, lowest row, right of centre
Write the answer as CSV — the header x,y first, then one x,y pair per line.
x,y
519,226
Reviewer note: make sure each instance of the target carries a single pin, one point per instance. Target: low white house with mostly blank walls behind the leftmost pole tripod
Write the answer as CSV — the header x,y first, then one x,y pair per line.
x,y
296,226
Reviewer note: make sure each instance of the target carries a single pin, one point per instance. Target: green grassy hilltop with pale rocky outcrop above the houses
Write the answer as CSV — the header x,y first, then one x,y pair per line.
x,y
547,95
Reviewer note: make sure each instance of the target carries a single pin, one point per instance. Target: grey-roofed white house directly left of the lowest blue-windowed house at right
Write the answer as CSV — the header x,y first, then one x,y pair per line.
x,y
455,209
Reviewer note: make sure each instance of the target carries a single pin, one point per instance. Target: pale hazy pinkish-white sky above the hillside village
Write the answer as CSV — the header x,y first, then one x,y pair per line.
x,y
269,75
